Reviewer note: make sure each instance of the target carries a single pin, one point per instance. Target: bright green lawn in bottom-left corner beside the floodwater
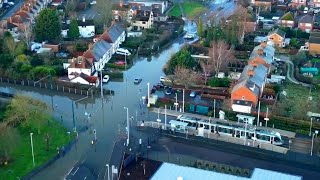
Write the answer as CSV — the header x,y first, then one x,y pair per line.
x,y
21,163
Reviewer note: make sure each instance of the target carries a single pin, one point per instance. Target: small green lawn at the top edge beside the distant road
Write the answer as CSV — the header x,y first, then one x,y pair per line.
x,y
193,9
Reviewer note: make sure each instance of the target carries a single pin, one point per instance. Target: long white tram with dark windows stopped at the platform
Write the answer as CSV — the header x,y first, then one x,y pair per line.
x,y
243,131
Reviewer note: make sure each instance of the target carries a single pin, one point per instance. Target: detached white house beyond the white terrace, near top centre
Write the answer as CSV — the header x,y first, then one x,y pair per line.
x,y
143,22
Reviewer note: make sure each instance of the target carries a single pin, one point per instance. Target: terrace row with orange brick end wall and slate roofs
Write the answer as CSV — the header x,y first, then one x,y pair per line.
x,y
249,88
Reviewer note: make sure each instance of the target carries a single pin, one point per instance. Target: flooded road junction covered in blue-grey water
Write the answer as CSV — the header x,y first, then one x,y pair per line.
x,y
107,116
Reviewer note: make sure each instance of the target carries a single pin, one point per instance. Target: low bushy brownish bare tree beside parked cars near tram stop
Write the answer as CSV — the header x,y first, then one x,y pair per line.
x,y
185,76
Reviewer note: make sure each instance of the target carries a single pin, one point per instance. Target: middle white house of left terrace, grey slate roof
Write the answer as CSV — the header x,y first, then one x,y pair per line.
x,y
102,52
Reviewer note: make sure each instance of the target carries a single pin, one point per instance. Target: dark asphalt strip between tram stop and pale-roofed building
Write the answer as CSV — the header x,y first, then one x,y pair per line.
x,y
170,148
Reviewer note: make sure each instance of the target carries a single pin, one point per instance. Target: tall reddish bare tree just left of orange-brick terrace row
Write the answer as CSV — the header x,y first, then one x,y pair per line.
x,y
221,54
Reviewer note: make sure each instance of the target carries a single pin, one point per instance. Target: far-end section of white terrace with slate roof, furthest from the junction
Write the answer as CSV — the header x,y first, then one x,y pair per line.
x,y
115,35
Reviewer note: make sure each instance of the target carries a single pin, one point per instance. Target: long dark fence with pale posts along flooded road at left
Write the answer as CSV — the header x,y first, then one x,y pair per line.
x,y
49,86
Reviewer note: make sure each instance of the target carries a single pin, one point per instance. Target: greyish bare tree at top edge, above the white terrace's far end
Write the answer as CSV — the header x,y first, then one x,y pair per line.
x,y
104,9
